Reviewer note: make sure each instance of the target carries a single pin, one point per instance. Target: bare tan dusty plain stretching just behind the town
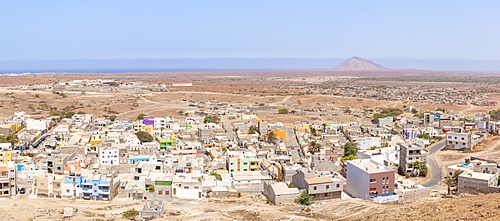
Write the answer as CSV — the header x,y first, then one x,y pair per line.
x,y
128,106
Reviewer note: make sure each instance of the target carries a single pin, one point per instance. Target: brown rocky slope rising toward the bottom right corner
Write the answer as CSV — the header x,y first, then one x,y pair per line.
x,y
483,207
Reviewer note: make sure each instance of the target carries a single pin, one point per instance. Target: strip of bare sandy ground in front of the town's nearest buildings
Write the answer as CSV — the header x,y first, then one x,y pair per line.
x,y
254,207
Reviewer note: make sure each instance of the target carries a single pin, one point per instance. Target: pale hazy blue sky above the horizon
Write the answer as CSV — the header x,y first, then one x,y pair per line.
x,y
124,29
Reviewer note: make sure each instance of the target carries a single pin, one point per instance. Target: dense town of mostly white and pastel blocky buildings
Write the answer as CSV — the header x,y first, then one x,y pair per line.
x,y
94,158
